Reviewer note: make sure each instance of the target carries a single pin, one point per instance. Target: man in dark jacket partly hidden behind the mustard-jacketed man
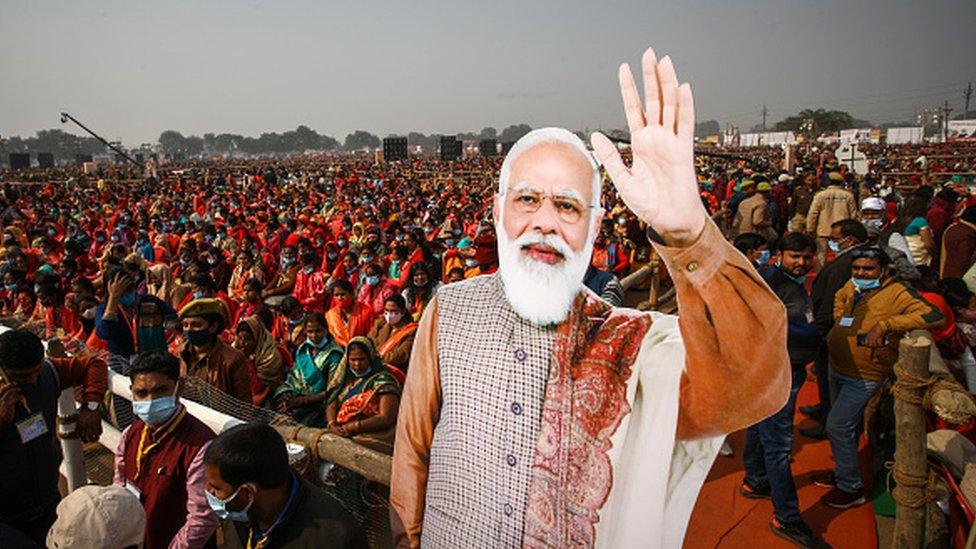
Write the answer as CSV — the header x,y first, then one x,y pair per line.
x,y
844,236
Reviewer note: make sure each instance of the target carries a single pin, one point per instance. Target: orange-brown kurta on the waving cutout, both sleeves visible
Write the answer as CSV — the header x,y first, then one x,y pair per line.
x,y
727,385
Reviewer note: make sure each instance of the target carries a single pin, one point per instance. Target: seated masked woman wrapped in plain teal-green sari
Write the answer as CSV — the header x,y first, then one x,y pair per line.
x,y
304,391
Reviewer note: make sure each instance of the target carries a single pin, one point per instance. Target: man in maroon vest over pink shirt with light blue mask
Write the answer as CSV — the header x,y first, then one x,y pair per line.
x,y
160,457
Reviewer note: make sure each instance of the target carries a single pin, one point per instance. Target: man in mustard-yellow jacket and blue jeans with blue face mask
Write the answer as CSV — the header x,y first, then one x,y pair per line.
x,y
872,311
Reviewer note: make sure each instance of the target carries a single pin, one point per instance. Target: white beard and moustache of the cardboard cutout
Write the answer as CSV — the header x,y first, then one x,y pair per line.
x,y
541,293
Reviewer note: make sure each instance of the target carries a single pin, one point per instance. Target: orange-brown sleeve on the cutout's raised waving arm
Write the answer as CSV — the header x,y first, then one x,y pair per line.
x,y
737,369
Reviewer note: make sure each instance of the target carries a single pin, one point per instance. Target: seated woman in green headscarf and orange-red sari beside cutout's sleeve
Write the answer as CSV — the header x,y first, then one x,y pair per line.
x,y
363,398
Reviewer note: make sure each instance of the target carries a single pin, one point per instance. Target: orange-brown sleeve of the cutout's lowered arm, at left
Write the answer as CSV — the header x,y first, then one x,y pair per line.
x,y
420,407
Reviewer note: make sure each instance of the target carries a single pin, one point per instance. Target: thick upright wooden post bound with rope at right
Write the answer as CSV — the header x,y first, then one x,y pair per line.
x,y
910,458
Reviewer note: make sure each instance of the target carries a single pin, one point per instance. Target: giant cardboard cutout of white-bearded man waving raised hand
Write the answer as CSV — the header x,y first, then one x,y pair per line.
x,y
535,414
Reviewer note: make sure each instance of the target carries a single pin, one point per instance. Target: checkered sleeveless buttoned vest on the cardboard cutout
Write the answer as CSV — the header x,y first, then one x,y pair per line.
x,y
493,371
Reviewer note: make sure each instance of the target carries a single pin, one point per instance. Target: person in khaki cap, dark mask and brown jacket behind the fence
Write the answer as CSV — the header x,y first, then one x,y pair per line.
x,y
205,356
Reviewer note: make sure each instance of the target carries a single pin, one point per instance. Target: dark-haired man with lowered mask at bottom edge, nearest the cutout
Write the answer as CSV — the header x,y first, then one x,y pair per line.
x,y
264,504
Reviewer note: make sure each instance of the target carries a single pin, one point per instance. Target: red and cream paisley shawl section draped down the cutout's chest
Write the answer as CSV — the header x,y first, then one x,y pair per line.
x,y
585,402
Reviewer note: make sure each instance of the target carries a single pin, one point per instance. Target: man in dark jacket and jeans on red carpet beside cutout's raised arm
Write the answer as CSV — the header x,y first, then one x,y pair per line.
x,y
766,456
